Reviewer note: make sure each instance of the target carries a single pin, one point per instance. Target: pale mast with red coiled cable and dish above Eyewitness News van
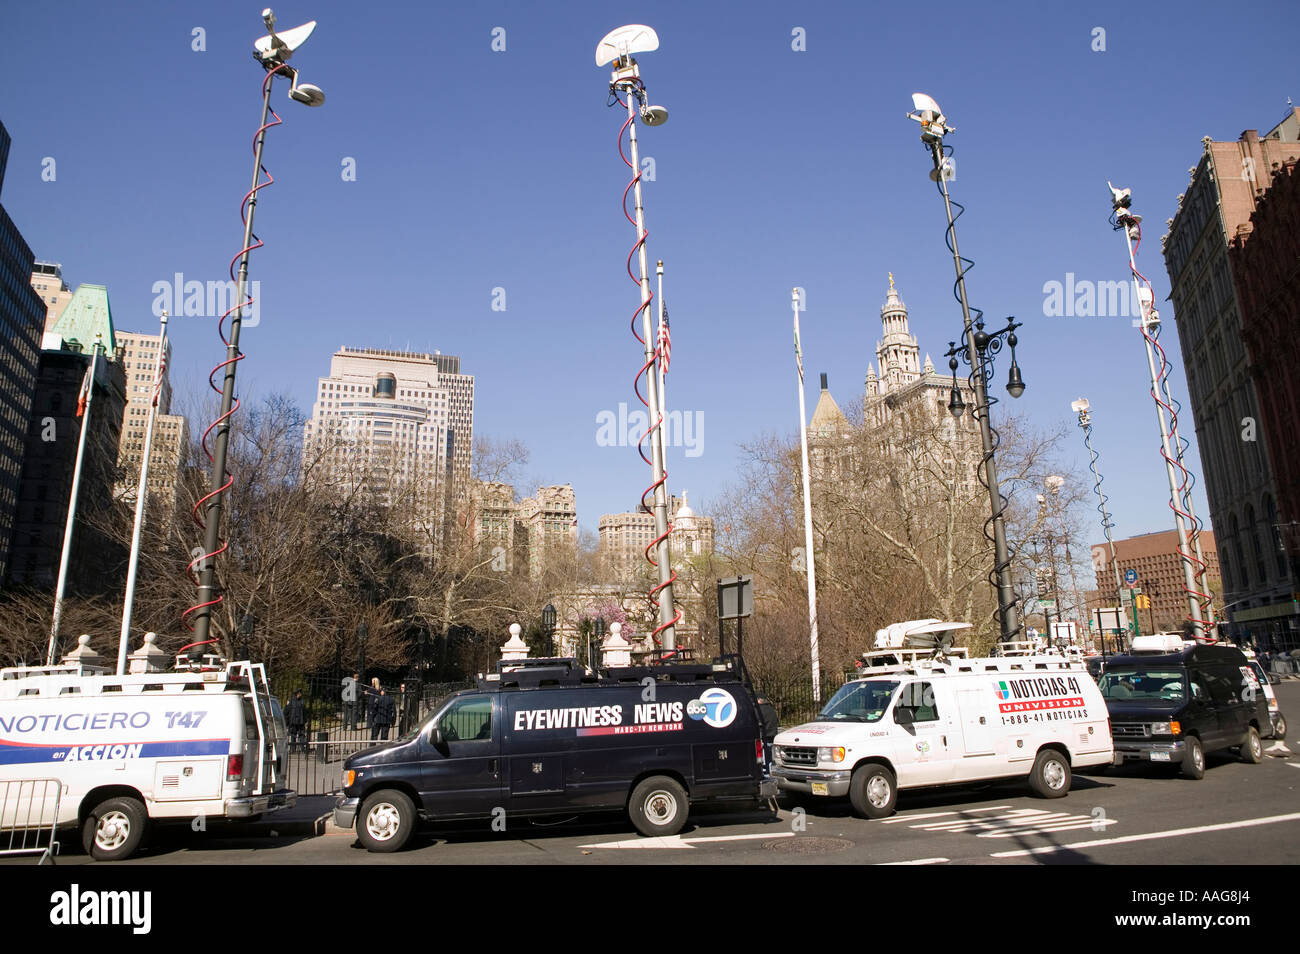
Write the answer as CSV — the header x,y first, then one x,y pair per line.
x,y
626,89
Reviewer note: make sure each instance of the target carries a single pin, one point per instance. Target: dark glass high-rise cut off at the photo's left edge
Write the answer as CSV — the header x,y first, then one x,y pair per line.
x,y
23,320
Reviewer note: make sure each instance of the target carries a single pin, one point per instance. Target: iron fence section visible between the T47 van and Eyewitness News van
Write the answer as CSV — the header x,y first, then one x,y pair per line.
x,y
333,730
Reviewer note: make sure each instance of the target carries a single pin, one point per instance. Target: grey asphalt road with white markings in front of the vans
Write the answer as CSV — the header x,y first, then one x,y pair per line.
x,y
1240,814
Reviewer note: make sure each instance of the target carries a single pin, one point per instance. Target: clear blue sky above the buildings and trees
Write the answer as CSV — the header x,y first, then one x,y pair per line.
x,y
480,170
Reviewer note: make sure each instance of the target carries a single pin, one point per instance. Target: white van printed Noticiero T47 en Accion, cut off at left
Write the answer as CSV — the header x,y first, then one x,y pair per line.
x,y
132,749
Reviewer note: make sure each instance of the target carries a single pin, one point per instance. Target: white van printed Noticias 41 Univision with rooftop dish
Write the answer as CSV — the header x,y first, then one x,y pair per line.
x,y
935,721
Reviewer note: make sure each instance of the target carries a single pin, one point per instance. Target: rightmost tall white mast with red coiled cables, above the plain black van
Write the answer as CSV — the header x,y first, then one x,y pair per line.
x,y
1201,608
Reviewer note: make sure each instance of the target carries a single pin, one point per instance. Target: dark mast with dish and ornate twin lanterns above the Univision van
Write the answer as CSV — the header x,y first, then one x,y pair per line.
x,y
977,352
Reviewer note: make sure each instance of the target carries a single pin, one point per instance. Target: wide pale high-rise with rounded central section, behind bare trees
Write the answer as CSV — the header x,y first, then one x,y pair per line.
x,y
398,424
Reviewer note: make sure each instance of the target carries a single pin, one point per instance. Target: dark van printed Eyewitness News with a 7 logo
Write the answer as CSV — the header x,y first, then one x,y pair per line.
x,y
545,738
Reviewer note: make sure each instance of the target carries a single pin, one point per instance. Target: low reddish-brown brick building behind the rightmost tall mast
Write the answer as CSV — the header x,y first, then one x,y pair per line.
x,y
1160,576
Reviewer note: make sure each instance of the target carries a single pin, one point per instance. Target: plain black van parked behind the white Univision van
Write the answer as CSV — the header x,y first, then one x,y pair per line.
x,y
1173,708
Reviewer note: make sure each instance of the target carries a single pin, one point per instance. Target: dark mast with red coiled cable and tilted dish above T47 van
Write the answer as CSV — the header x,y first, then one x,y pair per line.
x,y
272,53
